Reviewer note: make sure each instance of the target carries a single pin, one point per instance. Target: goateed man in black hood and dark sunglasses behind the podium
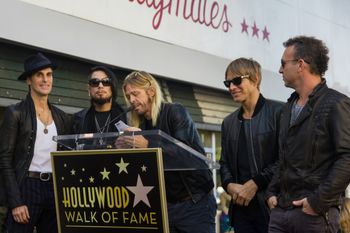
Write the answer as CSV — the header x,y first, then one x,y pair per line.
x,y
104,110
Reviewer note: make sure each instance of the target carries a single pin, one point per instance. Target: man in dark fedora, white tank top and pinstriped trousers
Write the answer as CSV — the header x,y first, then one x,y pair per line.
x,y
27,129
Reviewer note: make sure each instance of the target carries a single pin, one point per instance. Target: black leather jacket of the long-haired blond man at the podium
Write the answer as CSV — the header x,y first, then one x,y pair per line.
x,y
176,122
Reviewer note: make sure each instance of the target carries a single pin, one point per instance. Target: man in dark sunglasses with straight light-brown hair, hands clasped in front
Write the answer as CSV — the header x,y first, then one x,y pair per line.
x,y
249,147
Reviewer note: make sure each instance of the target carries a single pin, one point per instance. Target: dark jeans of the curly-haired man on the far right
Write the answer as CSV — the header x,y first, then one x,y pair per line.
x,y
296,221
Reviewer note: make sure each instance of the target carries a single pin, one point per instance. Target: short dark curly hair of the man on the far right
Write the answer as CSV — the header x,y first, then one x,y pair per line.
x,y
313,51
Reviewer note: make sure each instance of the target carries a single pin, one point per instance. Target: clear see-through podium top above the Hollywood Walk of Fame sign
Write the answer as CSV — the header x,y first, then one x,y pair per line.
x,y
176,155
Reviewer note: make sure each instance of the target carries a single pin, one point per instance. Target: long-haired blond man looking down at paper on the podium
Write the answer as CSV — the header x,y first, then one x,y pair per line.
x,y
191,204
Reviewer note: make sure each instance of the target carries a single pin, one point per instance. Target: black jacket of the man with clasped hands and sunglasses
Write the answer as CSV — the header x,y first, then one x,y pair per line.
x,y
262,143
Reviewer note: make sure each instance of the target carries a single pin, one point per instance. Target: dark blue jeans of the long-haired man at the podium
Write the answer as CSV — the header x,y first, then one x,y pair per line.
x,y
193,217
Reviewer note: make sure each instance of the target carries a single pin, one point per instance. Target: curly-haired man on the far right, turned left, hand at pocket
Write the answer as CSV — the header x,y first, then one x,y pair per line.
x,y
314,144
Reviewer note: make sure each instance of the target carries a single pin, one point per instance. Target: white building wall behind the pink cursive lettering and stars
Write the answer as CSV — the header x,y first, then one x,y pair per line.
x,y
121,33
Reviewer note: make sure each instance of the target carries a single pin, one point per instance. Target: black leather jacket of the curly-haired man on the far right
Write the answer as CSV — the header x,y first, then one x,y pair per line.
x,y
314,151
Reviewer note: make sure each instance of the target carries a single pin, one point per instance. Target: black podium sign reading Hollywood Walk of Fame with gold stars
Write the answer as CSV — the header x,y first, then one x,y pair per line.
x,y
107,191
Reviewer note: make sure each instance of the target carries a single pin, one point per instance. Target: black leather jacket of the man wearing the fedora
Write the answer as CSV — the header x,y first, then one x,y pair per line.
x,y
18,132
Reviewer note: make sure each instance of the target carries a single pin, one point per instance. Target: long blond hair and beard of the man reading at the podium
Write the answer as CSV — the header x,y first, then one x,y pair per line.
x,y
145,81
